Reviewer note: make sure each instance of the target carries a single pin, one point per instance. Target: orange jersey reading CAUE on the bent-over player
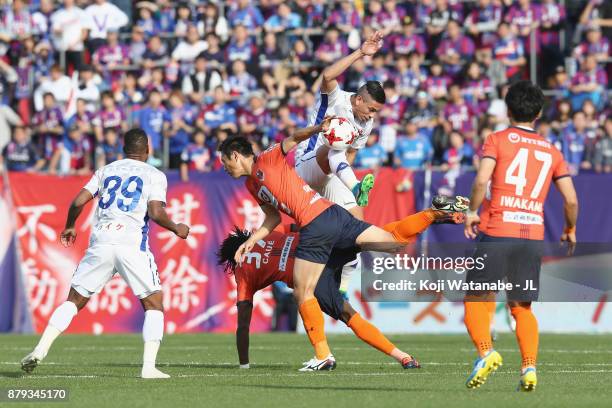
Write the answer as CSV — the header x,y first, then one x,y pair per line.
x,y
269,261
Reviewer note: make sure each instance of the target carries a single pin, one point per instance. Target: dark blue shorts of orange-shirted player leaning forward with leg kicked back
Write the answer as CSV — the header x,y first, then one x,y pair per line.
x,y
334,228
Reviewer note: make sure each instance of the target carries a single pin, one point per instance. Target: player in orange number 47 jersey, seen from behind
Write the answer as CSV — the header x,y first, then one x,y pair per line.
x,y
520,165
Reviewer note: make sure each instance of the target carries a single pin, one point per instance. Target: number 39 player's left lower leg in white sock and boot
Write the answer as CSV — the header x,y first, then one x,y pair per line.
x,y
59,322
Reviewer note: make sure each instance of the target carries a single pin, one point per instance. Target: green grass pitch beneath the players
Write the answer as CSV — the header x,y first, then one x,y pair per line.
x,y
102,371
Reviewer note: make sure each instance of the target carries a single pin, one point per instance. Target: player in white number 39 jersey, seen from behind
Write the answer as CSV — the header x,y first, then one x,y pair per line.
x,y
131,193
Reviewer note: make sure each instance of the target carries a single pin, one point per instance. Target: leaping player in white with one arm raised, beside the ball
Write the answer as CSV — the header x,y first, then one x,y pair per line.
x,y
326,170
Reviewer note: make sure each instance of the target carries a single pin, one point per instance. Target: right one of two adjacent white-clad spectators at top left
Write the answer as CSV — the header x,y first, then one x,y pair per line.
x,y
103,17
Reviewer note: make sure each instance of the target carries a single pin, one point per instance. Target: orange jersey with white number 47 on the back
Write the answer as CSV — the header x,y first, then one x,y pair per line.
x,y
526,164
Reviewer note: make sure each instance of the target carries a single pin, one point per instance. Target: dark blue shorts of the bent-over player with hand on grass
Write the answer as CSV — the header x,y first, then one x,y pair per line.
x,y
327,290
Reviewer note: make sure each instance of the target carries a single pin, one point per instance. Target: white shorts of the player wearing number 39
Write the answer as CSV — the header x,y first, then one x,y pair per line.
x,y
101,262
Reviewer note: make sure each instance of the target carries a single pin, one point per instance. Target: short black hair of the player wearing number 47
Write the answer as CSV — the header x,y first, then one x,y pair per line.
x,y
525,101
